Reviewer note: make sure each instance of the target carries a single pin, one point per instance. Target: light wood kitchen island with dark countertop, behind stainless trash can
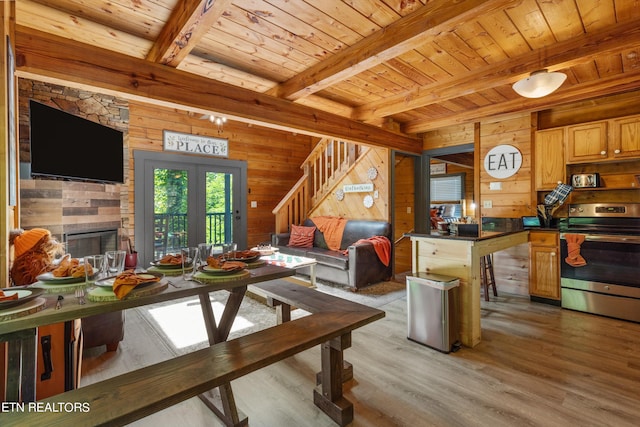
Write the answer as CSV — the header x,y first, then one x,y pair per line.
x,y
459,257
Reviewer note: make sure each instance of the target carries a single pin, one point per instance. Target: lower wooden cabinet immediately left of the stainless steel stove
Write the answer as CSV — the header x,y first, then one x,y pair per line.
x,y
544,265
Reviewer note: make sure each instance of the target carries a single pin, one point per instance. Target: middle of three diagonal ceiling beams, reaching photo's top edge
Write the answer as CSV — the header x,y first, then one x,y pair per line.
x,y
401,36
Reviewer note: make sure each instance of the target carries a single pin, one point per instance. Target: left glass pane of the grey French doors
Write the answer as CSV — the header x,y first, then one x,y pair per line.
x,y
170,196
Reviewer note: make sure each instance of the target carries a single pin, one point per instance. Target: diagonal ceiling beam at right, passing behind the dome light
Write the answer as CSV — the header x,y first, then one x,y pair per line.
x,y
614,39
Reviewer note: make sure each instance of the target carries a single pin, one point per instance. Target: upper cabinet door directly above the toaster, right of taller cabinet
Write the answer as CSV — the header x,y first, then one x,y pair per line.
x,y
587,142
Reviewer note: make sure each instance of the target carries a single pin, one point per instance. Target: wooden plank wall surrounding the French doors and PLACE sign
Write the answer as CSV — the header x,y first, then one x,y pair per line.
x,y
273,157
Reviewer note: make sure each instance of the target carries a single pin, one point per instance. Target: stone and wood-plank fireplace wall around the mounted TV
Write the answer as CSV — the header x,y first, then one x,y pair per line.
x,y
66,208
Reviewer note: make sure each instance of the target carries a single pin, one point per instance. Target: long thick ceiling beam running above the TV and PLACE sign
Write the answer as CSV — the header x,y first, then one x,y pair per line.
x,y
42,56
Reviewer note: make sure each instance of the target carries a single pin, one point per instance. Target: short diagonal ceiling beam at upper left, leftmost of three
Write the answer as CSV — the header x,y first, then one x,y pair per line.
x,y
189,22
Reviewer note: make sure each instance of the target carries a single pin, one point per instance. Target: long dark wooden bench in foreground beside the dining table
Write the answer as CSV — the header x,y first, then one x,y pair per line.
x,y
131,396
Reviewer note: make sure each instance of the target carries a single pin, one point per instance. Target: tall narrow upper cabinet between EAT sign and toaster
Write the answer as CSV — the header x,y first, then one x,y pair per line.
x,y
549,158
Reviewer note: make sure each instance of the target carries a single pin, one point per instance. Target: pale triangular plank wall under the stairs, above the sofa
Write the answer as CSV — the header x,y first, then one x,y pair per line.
x,y
352,205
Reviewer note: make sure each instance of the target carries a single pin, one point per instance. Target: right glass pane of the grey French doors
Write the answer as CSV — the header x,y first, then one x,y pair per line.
x,y
219,209
